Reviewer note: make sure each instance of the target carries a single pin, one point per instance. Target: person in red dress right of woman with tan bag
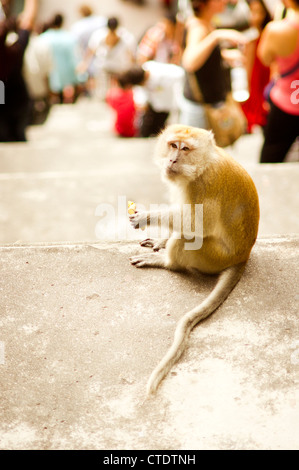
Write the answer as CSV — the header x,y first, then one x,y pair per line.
x,y
255,108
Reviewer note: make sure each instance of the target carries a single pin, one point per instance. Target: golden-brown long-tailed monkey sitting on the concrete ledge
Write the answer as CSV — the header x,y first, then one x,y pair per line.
x,y
198,172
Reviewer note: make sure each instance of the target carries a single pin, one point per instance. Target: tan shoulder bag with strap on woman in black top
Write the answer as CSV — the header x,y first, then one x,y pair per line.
x,y
225,119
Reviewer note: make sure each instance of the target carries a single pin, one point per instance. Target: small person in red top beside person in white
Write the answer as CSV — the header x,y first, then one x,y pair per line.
x,y
120,98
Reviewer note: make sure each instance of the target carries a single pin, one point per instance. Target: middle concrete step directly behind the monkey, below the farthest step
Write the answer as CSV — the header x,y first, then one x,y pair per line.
x,y
62,205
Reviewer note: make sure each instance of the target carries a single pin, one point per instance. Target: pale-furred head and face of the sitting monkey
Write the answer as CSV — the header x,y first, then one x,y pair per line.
x,y
182,151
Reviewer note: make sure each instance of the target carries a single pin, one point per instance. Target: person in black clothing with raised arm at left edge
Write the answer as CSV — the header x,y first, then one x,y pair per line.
x,y
15,113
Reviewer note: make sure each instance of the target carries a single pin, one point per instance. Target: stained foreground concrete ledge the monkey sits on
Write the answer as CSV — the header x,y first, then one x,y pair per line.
x,y
82,329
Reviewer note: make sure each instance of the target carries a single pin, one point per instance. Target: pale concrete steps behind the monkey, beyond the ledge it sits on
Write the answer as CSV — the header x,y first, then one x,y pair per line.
x,y
52,186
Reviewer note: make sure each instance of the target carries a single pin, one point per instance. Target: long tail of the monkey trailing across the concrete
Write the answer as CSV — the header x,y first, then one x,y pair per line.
x,y
225,284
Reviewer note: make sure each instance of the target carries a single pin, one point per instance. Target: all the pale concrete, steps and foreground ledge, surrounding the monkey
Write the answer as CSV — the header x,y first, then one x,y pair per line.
x,y
81,329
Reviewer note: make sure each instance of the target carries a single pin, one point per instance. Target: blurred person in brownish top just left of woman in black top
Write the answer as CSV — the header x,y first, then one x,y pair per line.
x,y
160,42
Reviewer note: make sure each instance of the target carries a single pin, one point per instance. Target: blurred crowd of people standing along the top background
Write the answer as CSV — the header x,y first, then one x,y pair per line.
x,y
202,43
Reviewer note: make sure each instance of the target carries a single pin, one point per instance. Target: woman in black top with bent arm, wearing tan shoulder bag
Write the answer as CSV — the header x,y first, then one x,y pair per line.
x,y
203,63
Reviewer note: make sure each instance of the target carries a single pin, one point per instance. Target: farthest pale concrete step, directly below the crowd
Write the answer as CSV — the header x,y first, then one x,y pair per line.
x,y
76,136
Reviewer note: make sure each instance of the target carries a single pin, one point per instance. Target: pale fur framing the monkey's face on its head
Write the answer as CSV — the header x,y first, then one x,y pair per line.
x,y
201,144
